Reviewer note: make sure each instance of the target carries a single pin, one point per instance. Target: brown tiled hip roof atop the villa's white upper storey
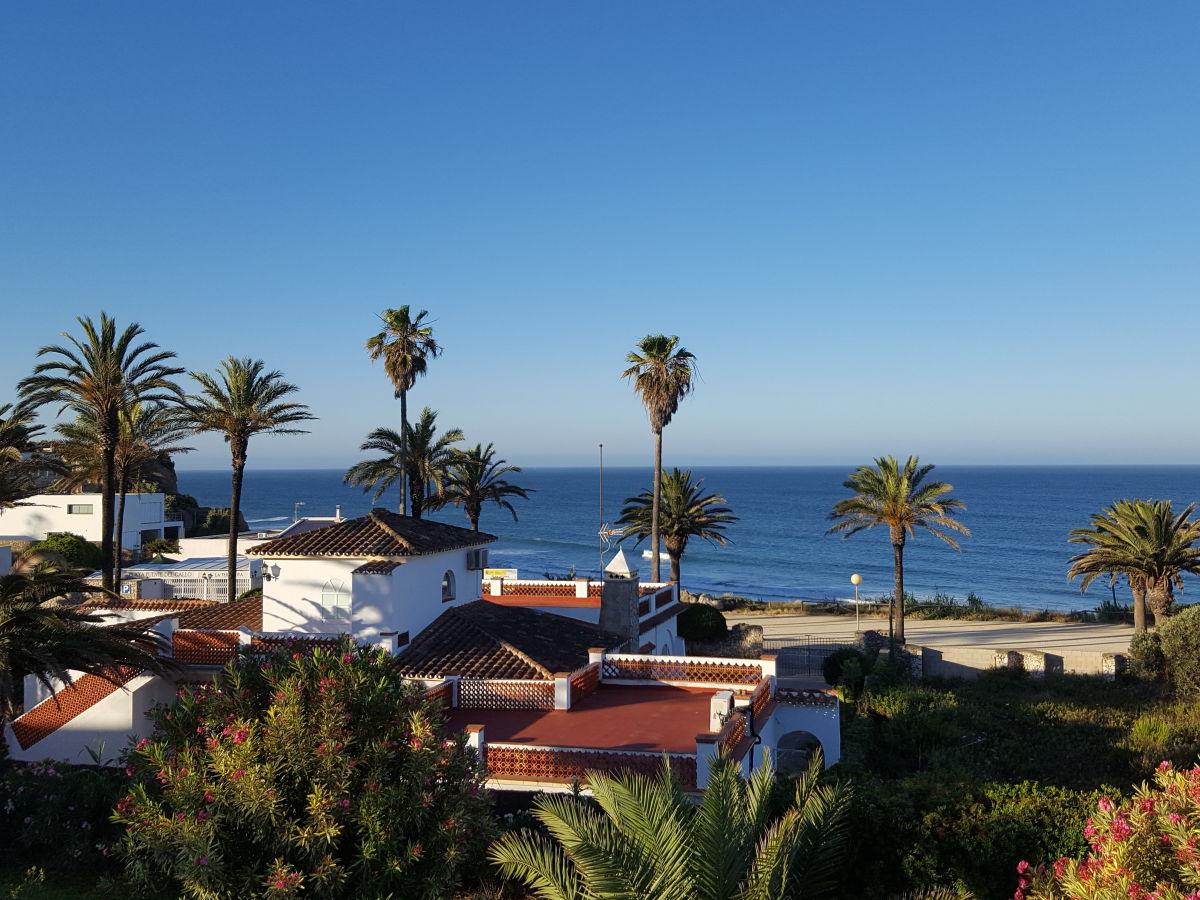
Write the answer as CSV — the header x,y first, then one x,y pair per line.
x,y
377,535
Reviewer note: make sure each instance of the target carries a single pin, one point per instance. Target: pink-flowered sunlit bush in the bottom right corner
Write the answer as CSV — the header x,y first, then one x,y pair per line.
x,y
1144,849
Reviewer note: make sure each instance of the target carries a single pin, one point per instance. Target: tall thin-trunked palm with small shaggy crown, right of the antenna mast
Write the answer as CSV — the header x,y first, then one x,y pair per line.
x,y
663,374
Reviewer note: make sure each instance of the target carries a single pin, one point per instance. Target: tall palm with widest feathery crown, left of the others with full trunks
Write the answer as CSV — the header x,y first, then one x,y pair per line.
x,y
105,373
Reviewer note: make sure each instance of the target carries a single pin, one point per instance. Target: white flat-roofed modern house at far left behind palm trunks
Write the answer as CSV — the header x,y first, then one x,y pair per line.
x,y
49,513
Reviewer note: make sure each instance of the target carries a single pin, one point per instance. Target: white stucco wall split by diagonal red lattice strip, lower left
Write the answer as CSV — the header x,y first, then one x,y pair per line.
x,y
112,722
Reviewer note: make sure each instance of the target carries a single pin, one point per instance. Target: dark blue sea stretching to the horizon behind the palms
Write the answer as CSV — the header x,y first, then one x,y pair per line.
x,y
1019,518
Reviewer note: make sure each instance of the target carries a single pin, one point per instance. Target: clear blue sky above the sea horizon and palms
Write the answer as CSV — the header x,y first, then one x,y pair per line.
x,y
967,231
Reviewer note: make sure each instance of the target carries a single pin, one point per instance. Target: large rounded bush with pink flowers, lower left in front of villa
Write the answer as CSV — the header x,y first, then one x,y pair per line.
x,y
317,775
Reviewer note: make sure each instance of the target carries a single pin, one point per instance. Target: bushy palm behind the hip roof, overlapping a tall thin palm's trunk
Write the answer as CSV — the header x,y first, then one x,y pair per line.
x,y
430,457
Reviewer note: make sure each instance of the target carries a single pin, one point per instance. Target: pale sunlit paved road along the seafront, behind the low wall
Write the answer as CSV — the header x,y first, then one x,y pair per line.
x,y
949,633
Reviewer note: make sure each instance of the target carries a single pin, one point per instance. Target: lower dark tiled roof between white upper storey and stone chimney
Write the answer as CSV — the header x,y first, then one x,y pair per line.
x,y
484,640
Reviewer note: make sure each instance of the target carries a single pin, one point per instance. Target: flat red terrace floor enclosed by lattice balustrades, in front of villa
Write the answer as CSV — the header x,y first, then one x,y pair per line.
x,y
613,718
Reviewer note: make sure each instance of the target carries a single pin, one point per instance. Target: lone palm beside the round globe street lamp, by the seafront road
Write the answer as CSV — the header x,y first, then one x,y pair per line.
x,y
893,496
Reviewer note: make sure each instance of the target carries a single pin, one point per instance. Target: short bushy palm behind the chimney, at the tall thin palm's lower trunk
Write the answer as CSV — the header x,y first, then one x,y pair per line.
x,y
683,513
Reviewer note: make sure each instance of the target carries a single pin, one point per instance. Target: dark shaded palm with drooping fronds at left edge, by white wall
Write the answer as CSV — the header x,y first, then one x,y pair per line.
x,y
47,639
